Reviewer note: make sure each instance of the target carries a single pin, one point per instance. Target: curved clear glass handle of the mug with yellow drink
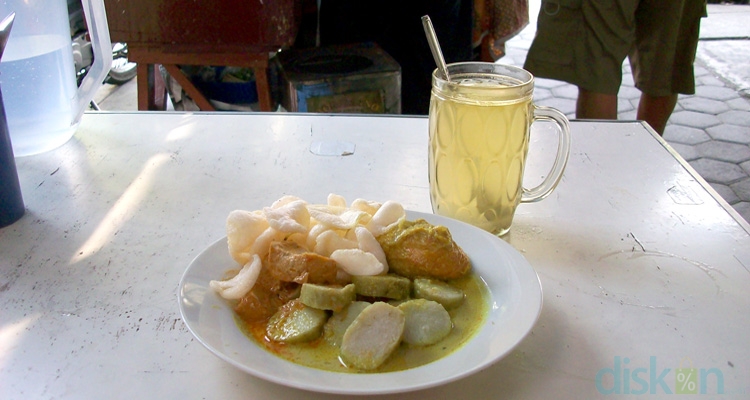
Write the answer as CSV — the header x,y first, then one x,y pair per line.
x,y
541,113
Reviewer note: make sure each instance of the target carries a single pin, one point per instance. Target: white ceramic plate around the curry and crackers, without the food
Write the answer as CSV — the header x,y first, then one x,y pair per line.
x,y
515,293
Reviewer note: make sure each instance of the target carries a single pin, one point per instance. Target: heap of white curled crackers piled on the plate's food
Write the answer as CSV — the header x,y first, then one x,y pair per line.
x,y
345,234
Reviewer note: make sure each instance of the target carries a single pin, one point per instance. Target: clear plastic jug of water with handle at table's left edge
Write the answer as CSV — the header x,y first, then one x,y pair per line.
x,y
37,73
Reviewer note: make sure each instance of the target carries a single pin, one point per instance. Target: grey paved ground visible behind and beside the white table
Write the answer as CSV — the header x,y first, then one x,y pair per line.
x,y
710,129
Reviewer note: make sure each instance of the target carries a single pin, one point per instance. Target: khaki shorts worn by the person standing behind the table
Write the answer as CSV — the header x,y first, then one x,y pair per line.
x,y
584,42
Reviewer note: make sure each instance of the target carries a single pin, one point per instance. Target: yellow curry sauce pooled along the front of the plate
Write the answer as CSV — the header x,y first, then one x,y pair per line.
x,y
467,319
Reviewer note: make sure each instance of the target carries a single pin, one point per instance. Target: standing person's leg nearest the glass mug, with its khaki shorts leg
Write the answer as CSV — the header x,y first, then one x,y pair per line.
x,y
585,44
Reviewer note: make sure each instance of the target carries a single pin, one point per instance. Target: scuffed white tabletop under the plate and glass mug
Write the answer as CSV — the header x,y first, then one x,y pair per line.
x,y
638,258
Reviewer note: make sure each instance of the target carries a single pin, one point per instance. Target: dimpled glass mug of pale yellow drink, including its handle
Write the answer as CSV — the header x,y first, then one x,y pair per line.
x,y
479,138
